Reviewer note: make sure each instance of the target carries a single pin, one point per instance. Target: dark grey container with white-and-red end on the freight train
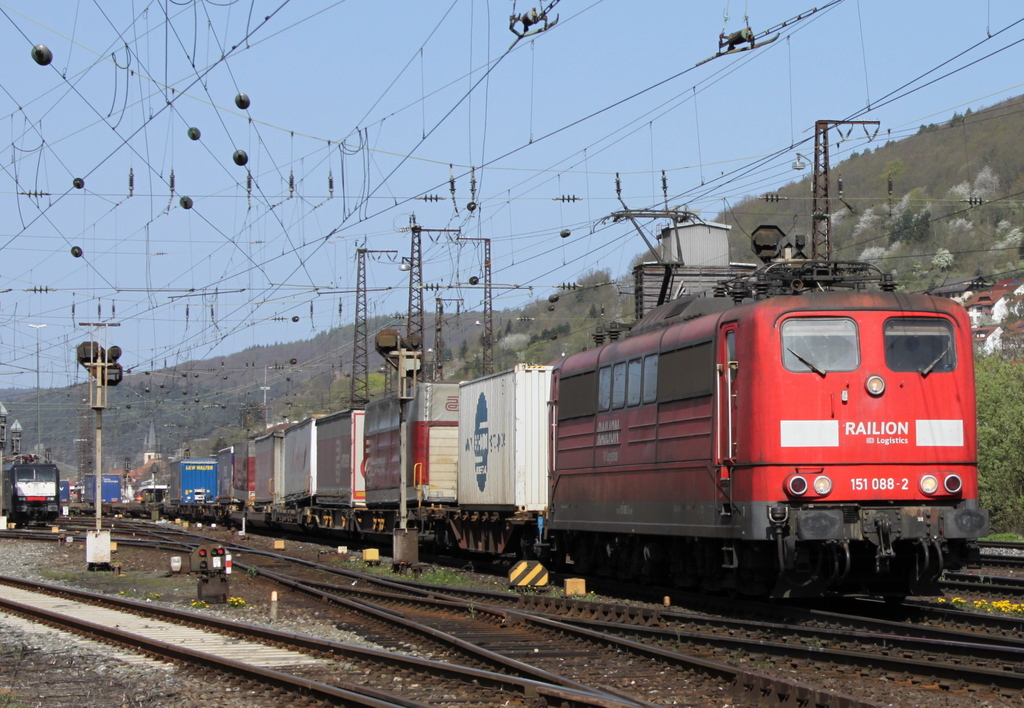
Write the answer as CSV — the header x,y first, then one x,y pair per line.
x,y
340,447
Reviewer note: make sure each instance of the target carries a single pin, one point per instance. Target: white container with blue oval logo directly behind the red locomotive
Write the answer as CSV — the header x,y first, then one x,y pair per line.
x,y
504,440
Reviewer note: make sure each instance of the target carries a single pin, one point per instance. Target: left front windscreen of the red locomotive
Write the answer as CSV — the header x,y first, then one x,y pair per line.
x,y
821,345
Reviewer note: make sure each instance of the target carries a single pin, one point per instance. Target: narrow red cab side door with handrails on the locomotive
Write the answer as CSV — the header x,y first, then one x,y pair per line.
x,y
728,369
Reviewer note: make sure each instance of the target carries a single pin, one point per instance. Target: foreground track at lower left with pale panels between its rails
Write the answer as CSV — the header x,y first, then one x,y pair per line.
x,y
298,665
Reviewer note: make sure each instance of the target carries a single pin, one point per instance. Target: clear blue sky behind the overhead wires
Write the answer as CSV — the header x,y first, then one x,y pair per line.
x,y
383,98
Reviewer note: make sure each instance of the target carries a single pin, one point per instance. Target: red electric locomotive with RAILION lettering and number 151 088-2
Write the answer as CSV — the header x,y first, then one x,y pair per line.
x,y
793,446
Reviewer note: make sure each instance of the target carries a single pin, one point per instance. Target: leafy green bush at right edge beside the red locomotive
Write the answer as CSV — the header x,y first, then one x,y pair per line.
x,y
1001,441
